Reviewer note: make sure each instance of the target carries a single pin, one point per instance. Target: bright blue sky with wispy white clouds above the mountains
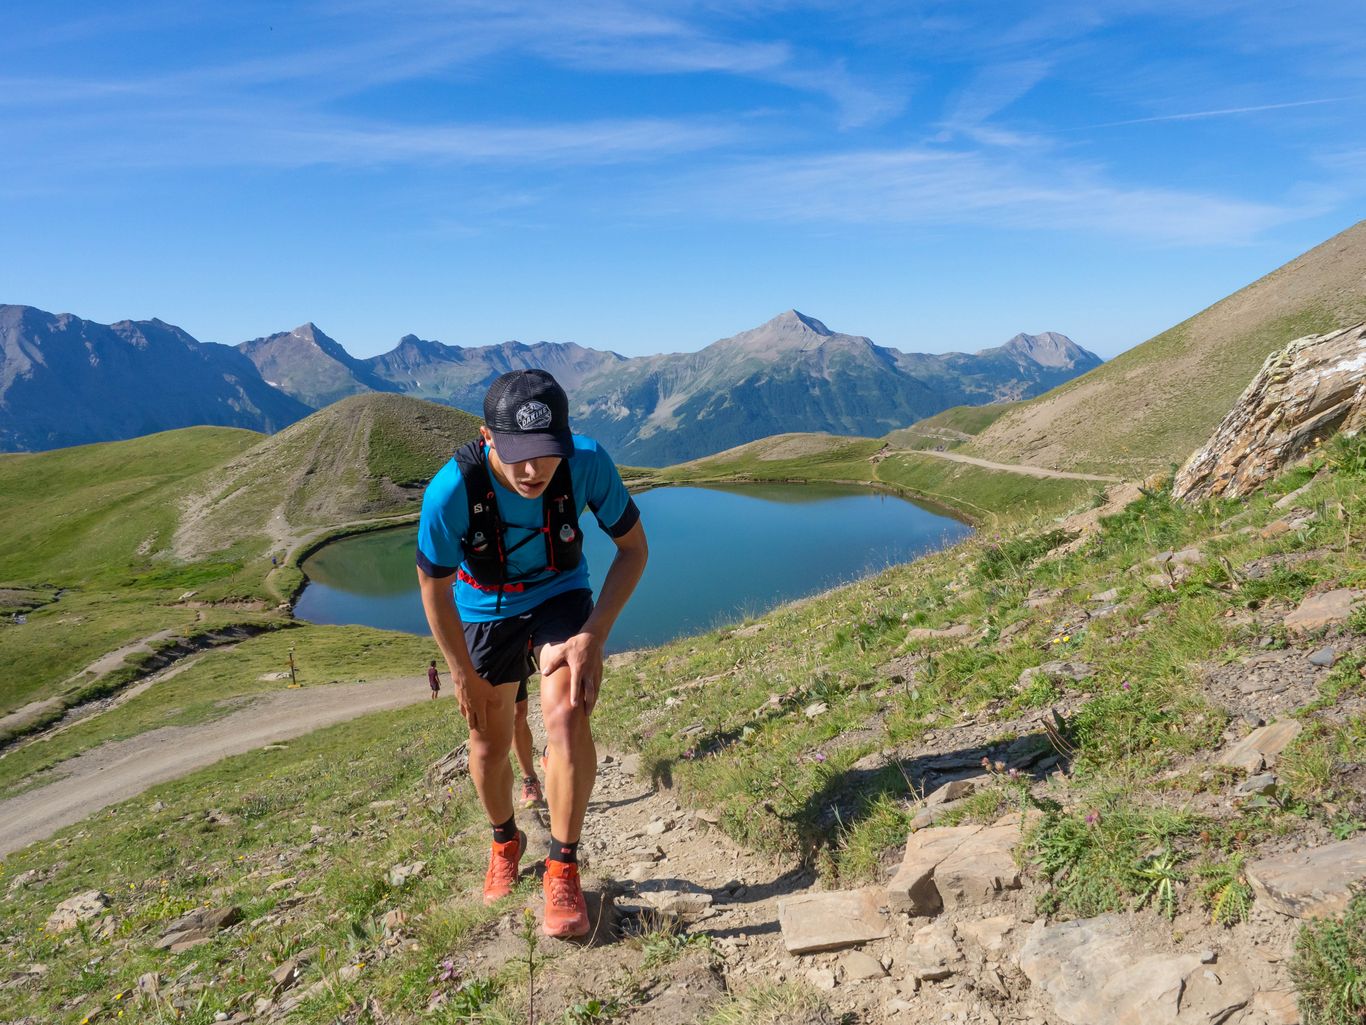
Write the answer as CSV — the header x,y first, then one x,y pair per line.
x,y
651,177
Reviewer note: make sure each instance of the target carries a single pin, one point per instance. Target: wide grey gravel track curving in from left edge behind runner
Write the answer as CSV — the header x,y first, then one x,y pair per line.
x,y
121,770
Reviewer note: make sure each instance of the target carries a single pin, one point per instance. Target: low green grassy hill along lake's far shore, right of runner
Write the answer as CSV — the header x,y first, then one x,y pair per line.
x,y
971,493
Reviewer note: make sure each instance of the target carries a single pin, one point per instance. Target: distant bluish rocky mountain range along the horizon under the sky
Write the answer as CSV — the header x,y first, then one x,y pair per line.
x,y
792,374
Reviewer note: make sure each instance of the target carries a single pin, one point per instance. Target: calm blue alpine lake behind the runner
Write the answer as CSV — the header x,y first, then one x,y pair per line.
x,y
718,556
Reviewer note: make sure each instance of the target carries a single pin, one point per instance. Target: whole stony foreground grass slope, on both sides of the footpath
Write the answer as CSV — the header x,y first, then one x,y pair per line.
x,y
812,735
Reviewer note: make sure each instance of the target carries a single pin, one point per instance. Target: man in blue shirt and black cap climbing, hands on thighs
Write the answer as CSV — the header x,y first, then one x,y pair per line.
x,y
502,519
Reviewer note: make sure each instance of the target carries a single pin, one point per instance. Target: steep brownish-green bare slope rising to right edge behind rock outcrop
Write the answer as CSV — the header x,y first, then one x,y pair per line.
x,y
1155,404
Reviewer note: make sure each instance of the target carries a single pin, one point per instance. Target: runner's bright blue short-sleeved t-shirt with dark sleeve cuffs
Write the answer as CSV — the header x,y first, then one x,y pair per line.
x,y
446,519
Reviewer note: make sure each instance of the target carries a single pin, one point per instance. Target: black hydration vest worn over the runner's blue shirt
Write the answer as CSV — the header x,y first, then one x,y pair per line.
x,y
484,543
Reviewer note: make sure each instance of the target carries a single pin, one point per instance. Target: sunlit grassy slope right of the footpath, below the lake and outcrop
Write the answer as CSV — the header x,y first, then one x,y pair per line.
x,y
787,782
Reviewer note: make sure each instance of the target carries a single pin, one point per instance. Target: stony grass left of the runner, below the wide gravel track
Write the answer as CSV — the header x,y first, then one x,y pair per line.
x,y
159,858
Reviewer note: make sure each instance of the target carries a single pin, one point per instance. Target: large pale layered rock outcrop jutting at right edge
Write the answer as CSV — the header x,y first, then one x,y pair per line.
x,y
1305,393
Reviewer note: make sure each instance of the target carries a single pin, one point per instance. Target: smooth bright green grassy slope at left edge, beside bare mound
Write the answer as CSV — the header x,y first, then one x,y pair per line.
x,y
91,530
